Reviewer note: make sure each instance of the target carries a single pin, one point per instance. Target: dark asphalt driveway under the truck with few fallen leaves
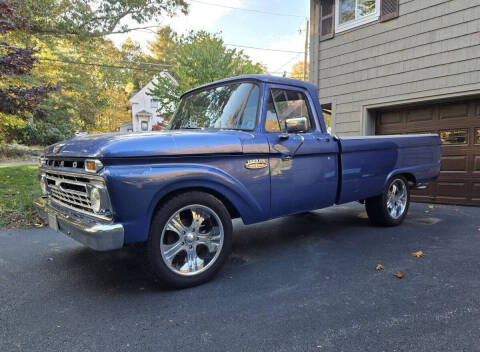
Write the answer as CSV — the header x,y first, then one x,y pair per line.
x,y
301,283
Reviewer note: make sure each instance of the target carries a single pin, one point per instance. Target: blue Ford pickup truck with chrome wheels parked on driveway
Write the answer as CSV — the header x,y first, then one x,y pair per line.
x,y
251,147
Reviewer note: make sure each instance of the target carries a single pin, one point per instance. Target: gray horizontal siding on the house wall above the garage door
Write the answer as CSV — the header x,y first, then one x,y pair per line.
x,y
431,51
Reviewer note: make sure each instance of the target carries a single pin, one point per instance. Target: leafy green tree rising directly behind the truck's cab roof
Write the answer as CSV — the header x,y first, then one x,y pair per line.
x,y
200,58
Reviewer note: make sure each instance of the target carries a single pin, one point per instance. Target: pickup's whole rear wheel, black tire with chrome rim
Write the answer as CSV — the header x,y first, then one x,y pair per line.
x,y
391,207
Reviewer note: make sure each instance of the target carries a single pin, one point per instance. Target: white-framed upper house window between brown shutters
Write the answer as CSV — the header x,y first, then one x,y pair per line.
x,y
353,13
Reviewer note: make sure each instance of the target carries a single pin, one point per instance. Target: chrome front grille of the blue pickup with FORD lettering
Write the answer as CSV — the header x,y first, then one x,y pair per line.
x,y
58,183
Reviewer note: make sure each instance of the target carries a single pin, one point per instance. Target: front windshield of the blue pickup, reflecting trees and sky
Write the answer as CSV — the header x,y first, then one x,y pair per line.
x,y
232,106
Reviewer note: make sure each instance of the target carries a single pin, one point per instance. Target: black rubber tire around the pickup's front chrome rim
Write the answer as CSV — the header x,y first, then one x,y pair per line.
x,y
167,276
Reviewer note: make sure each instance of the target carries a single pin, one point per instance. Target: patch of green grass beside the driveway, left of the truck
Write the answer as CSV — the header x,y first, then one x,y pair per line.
x,y
19,187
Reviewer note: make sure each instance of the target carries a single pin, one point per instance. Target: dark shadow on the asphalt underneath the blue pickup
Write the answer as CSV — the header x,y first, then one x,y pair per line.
x,y
127,269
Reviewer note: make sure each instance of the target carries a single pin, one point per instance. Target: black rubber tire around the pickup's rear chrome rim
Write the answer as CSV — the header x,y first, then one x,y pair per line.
x,y
378,209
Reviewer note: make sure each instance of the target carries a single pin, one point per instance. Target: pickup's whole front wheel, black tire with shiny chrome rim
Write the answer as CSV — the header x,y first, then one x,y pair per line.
x,y
190,239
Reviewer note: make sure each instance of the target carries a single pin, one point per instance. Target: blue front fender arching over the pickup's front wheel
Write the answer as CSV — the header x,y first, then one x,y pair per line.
x,y
136,190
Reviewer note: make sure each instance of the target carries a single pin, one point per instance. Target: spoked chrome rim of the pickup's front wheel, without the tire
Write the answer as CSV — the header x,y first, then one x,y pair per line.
x,y
192,240
